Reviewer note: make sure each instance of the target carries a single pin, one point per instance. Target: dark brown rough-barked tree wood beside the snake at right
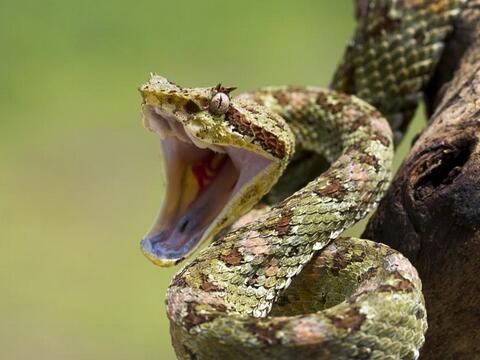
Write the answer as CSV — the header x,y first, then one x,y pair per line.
x,y
431,212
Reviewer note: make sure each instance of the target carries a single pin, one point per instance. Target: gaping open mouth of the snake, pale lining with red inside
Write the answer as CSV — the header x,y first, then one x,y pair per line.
x,y
202,180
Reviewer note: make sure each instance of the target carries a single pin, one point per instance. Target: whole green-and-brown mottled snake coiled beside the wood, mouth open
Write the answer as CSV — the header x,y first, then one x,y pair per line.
x,y
278,281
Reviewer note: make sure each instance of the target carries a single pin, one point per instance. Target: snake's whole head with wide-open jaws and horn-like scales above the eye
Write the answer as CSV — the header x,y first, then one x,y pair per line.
x,y
220,156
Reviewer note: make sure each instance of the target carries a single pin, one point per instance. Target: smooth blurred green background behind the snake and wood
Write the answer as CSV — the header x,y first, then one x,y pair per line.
x,y
80,180
